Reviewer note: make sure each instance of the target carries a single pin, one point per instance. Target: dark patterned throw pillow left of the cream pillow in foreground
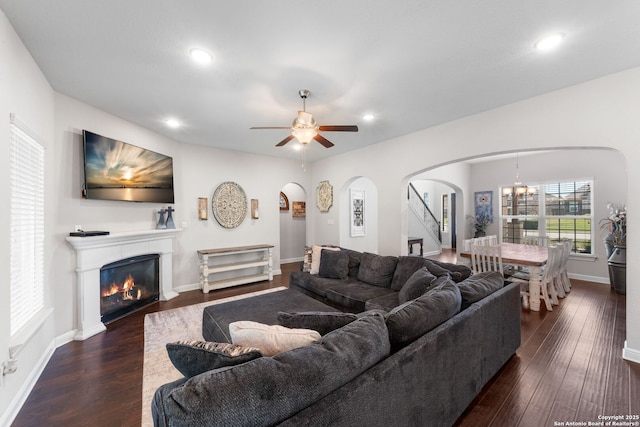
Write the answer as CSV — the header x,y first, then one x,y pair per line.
x,y
192,357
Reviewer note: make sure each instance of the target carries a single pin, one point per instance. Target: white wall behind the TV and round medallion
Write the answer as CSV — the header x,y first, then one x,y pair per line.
x,y
198,171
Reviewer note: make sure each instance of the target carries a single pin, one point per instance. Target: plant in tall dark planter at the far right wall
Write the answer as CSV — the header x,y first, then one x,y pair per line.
x,y
616,243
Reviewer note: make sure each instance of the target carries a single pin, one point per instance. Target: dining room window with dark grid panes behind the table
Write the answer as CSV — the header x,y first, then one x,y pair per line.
x,y
558,210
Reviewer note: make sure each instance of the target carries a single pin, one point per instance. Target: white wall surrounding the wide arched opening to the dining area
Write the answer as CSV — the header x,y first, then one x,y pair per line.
x,y
598,113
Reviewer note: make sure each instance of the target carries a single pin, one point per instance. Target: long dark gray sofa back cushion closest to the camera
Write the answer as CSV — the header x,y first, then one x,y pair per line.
x,y
268,390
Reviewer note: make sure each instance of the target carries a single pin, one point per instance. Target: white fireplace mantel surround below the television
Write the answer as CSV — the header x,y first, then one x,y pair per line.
x,y
95,251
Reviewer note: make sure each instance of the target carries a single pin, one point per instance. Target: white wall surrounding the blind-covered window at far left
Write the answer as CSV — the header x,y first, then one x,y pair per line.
x,y
25,92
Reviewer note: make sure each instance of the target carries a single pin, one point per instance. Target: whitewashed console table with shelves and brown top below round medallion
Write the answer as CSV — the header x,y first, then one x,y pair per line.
x,y
242,259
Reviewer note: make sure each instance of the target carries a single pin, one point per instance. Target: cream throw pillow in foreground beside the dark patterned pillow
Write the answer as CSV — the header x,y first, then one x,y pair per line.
x,y
270,339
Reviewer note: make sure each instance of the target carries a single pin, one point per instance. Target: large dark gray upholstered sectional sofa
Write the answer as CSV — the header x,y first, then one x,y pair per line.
x,y
418,363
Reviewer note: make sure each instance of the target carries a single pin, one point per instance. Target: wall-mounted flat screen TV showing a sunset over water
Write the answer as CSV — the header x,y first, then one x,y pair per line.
x,y
115,170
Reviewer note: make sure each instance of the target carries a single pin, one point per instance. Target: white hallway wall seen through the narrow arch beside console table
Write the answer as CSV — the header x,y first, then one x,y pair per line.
x,y
293,230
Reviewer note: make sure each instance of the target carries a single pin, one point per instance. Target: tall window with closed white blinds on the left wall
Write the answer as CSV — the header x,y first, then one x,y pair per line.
x,y
26,226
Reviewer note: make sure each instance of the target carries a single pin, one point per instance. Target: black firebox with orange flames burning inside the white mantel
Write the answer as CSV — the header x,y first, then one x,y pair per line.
x,y
127,285
